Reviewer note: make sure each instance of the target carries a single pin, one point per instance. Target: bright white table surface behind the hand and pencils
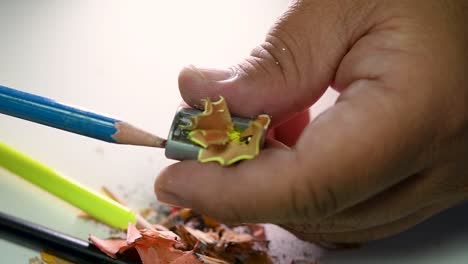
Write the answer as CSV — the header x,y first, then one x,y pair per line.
x,y
122,58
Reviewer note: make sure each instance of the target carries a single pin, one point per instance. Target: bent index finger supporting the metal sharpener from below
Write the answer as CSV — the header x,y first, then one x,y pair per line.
x,y
348,154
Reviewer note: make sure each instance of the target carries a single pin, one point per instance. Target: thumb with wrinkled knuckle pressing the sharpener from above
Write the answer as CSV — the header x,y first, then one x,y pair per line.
x,y
284,75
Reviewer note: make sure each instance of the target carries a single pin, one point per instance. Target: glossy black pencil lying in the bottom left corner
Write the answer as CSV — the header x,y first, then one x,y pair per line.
x,y
64,246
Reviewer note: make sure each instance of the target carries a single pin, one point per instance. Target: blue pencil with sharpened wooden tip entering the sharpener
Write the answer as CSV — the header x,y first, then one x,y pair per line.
x,y
48,112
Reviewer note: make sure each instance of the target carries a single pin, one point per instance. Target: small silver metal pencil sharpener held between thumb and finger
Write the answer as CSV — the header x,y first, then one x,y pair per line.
x,y
179,146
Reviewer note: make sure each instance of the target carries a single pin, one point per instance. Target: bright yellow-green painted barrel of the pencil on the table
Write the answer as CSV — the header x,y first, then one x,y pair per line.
x,y
95,204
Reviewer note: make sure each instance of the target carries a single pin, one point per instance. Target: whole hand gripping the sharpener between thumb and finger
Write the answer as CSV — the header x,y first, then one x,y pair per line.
x,y
389,154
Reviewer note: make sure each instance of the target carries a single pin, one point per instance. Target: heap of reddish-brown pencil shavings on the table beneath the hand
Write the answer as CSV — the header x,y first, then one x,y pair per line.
x,y
191,241
